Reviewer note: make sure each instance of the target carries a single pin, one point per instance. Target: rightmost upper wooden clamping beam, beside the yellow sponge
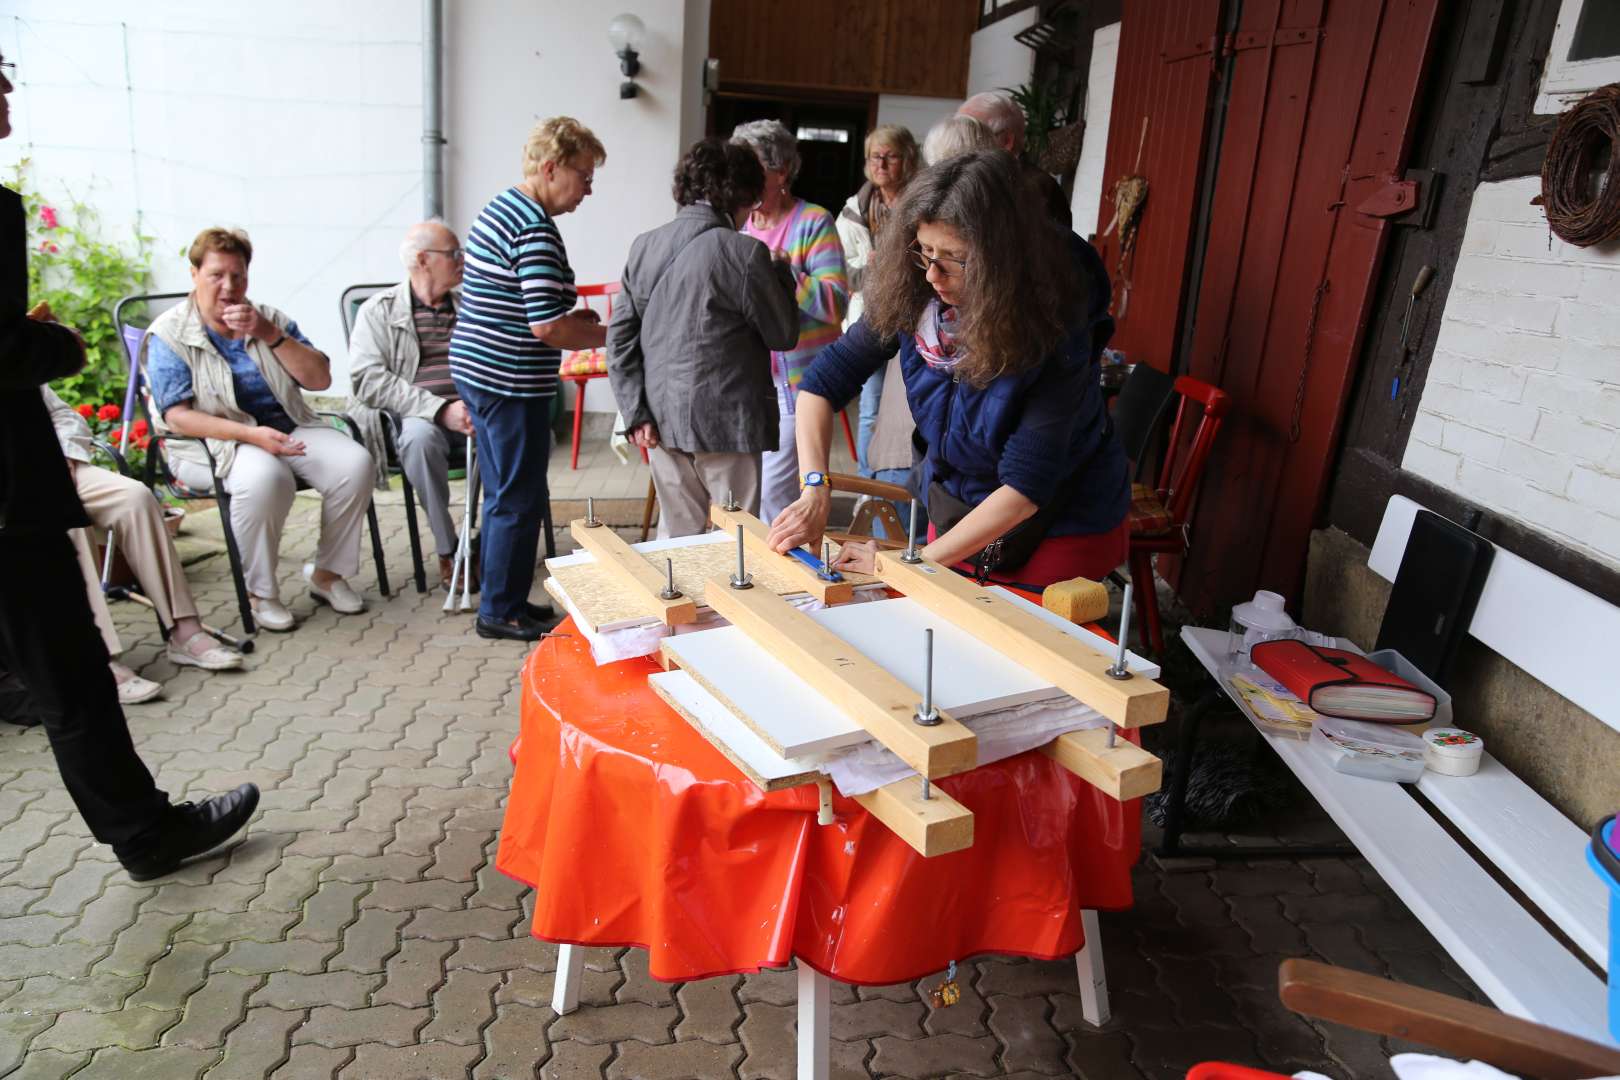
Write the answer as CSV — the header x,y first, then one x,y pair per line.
x,y
1067,663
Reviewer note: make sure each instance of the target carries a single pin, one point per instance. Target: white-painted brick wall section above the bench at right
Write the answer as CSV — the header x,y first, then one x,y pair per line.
x,y
1522,407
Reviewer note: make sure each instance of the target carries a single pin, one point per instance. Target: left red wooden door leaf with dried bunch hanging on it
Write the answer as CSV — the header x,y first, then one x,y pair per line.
x,y
1164,80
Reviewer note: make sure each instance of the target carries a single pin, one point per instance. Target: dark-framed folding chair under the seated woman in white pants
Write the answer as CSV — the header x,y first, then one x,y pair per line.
x,y
158,464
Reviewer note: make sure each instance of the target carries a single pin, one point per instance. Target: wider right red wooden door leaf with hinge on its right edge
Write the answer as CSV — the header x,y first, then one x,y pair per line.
x,y
1318,127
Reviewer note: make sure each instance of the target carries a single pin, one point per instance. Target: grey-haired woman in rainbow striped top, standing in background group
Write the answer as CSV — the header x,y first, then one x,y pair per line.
x,y
803,236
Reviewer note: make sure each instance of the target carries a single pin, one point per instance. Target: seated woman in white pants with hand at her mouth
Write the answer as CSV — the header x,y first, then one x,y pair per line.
x,y
231,372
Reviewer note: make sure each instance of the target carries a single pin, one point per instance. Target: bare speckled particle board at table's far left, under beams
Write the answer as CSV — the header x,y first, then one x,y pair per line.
x,y
608,603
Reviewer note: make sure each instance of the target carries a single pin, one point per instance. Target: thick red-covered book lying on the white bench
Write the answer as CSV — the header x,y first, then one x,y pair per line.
x,y
1337,682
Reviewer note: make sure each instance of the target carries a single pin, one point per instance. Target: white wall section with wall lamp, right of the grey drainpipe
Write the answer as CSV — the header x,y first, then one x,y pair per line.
x,y
511,66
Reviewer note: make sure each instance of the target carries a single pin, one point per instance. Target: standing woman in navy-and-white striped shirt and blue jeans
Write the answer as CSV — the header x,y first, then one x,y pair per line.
x,y
518,317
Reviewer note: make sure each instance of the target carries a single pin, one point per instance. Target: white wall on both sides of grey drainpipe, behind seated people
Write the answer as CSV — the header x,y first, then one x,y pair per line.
x,y
302,124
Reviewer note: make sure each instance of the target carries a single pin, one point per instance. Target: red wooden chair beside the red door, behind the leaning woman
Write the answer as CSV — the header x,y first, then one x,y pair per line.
x,y
1161,517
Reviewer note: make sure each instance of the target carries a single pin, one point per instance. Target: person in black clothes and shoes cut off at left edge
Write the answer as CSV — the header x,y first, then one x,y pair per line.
x,y
48,634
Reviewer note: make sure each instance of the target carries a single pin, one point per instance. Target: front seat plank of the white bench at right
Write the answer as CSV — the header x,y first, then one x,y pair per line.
x,y
1524,969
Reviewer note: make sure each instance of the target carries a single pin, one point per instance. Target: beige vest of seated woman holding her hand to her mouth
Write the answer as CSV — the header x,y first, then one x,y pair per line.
x,y
215,391
